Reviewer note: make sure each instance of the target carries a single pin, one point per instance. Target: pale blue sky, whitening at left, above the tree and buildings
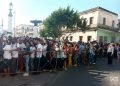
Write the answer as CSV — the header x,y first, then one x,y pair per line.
x,y
26,10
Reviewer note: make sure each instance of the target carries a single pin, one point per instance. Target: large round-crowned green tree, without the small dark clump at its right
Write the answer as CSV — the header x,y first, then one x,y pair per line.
x,y
61,18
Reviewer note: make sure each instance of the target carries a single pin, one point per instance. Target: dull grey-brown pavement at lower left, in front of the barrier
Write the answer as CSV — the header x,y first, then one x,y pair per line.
x,y
43,79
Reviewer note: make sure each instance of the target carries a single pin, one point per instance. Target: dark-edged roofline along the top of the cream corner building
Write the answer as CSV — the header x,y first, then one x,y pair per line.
x,y
96,9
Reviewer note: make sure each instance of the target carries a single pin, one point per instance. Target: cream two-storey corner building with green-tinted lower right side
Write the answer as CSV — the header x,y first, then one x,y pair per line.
x,y
103,24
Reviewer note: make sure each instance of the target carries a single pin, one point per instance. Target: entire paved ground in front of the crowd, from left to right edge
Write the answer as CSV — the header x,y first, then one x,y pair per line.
x,y
100,75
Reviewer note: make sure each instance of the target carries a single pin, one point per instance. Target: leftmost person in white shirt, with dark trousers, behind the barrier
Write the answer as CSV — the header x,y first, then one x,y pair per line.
x,y
7,58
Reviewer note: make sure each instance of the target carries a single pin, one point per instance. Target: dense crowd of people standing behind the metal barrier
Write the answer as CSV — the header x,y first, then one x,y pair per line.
x,y
32,55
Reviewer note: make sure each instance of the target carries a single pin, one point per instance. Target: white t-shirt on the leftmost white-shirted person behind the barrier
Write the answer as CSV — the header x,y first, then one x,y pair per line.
x,y
7,53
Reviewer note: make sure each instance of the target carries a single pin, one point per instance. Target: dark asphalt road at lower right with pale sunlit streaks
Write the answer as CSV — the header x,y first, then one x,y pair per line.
x,y
101,74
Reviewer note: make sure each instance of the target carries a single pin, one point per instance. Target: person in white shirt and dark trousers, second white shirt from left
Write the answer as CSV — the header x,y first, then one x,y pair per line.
x,y
15,48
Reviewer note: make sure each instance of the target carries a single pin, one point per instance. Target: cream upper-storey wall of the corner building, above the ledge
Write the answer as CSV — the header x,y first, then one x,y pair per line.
x,y
98,17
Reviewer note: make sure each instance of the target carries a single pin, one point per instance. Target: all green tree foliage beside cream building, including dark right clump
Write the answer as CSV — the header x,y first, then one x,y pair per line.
x,y
62,18
